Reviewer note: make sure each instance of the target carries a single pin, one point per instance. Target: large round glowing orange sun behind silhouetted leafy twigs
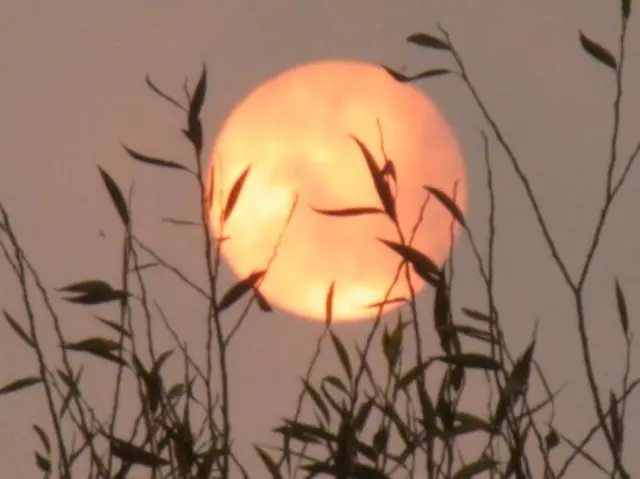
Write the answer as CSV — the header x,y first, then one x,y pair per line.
x,y
296,131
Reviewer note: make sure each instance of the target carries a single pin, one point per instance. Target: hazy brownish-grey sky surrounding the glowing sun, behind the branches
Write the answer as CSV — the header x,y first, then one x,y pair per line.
x,y
72,77
